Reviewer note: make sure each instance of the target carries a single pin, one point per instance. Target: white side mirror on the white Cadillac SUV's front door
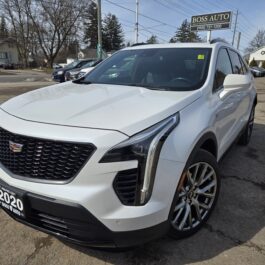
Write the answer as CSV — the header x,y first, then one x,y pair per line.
x,y
235,82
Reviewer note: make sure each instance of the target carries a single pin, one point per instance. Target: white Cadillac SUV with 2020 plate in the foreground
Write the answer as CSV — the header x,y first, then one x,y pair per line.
x,y
129,152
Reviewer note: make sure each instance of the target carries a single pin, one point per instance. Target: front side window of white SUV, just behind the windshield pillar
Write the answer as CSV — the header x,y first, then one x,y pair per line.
x,y
223,68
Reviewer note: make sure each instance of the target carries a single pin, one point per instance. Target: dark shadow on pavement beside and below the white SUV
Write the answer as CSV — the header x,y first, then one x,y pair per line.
x,y
237,220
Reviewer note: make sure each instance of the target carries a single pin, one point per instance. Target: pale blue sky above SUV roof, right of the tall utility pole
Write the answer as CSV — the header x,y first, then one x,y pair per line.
x,y
162,17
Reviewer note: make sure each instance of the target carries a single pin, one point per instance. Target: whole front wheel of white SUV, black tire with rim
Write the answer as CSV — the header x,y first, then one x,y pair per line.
x,y
192,204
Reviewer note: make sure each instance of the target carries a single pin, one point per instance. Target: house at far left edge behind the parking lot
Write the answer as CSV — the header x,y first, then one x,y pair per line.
x,y
8,52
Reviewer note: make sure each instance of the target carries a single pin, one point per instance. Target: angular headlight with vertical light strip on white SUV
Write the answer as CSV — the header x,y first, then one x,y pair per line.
x,y
144,147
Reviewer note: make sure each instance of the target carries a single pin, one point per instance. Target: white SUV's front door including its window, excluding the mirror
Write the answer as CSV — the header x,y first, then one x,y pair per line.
x,y
225,108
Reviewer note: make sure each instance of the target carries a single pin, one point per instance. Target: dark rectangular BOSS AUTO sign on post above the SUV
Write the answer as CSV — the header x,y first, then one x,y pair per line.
x,y
211,21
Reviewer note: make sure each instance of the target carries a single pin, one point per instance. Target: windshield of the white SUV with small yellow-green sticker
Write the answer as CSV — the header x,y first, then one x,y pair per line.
x,y
177,69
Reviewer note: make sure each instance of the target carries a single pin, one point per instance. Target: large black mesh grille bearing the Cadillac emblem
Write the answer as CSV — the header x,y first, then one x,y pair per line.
x,y
42,159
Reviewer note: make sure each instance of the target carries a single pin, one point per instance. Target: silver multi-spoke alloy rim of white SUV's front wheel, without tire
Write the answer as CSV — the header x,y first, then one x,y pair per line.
x,y
197,192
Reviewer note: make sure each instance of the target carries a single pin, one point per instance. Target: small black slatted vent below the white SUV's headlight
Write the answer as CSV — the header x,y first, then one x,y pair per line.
x,y
125,185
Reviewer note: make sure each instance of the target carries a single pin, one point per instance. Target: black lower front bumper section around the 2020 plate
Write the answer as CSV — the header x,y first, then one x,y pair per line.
x,y
73,223
